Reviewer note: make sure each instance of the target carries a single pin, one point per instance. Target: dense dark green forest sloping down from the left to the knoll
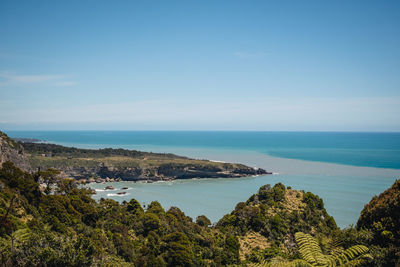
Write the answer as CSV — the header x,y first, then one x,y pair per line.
x,y
69,228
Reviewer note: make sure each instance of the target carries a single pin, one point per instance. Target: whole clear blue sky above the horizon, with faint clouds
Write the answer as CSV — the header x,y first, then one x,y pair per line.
x,y
200,65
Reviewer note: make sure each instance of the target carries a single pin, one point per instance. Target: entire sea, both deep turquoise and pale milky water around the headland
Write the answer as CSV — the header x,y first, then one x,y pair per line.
x,y
345,169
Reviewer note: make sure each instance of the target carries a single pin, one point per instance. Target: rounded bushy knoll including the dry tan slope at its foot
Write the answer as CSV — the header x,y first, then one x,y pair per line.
x,y
272,217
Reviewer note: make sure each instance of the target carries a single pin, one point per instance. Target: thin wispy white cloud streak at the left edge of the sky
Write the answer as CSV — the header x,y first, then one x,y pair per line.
x,y
11,79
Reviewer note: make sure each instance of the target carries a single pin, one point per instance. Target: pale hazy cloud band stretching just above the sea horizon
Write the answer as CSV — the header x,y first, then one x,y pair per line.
x,y
329,114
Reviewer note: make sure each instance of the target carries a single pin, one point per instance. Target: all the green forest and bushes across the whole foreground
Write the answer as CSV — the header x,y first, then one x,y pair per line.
x,y
68,228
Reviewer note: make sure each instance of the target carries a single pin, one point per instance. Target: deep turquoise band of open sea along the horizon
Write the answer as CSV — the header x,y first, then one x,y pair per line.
x,y
381,150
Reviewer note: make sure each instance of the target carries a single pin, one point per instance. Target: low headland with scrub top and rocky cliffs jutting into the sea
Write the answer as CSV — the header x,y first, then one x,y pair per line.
x,y
128,164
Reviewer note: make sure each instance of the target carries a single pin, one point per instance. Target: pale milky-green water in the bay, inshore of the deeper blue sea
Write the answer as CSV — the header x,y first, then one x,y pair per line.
x,y
344,189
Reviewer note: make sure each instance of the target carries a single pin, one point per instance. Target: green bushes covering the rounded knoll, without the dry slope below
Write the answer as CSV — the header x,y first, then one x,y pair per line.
x,y
269,214
